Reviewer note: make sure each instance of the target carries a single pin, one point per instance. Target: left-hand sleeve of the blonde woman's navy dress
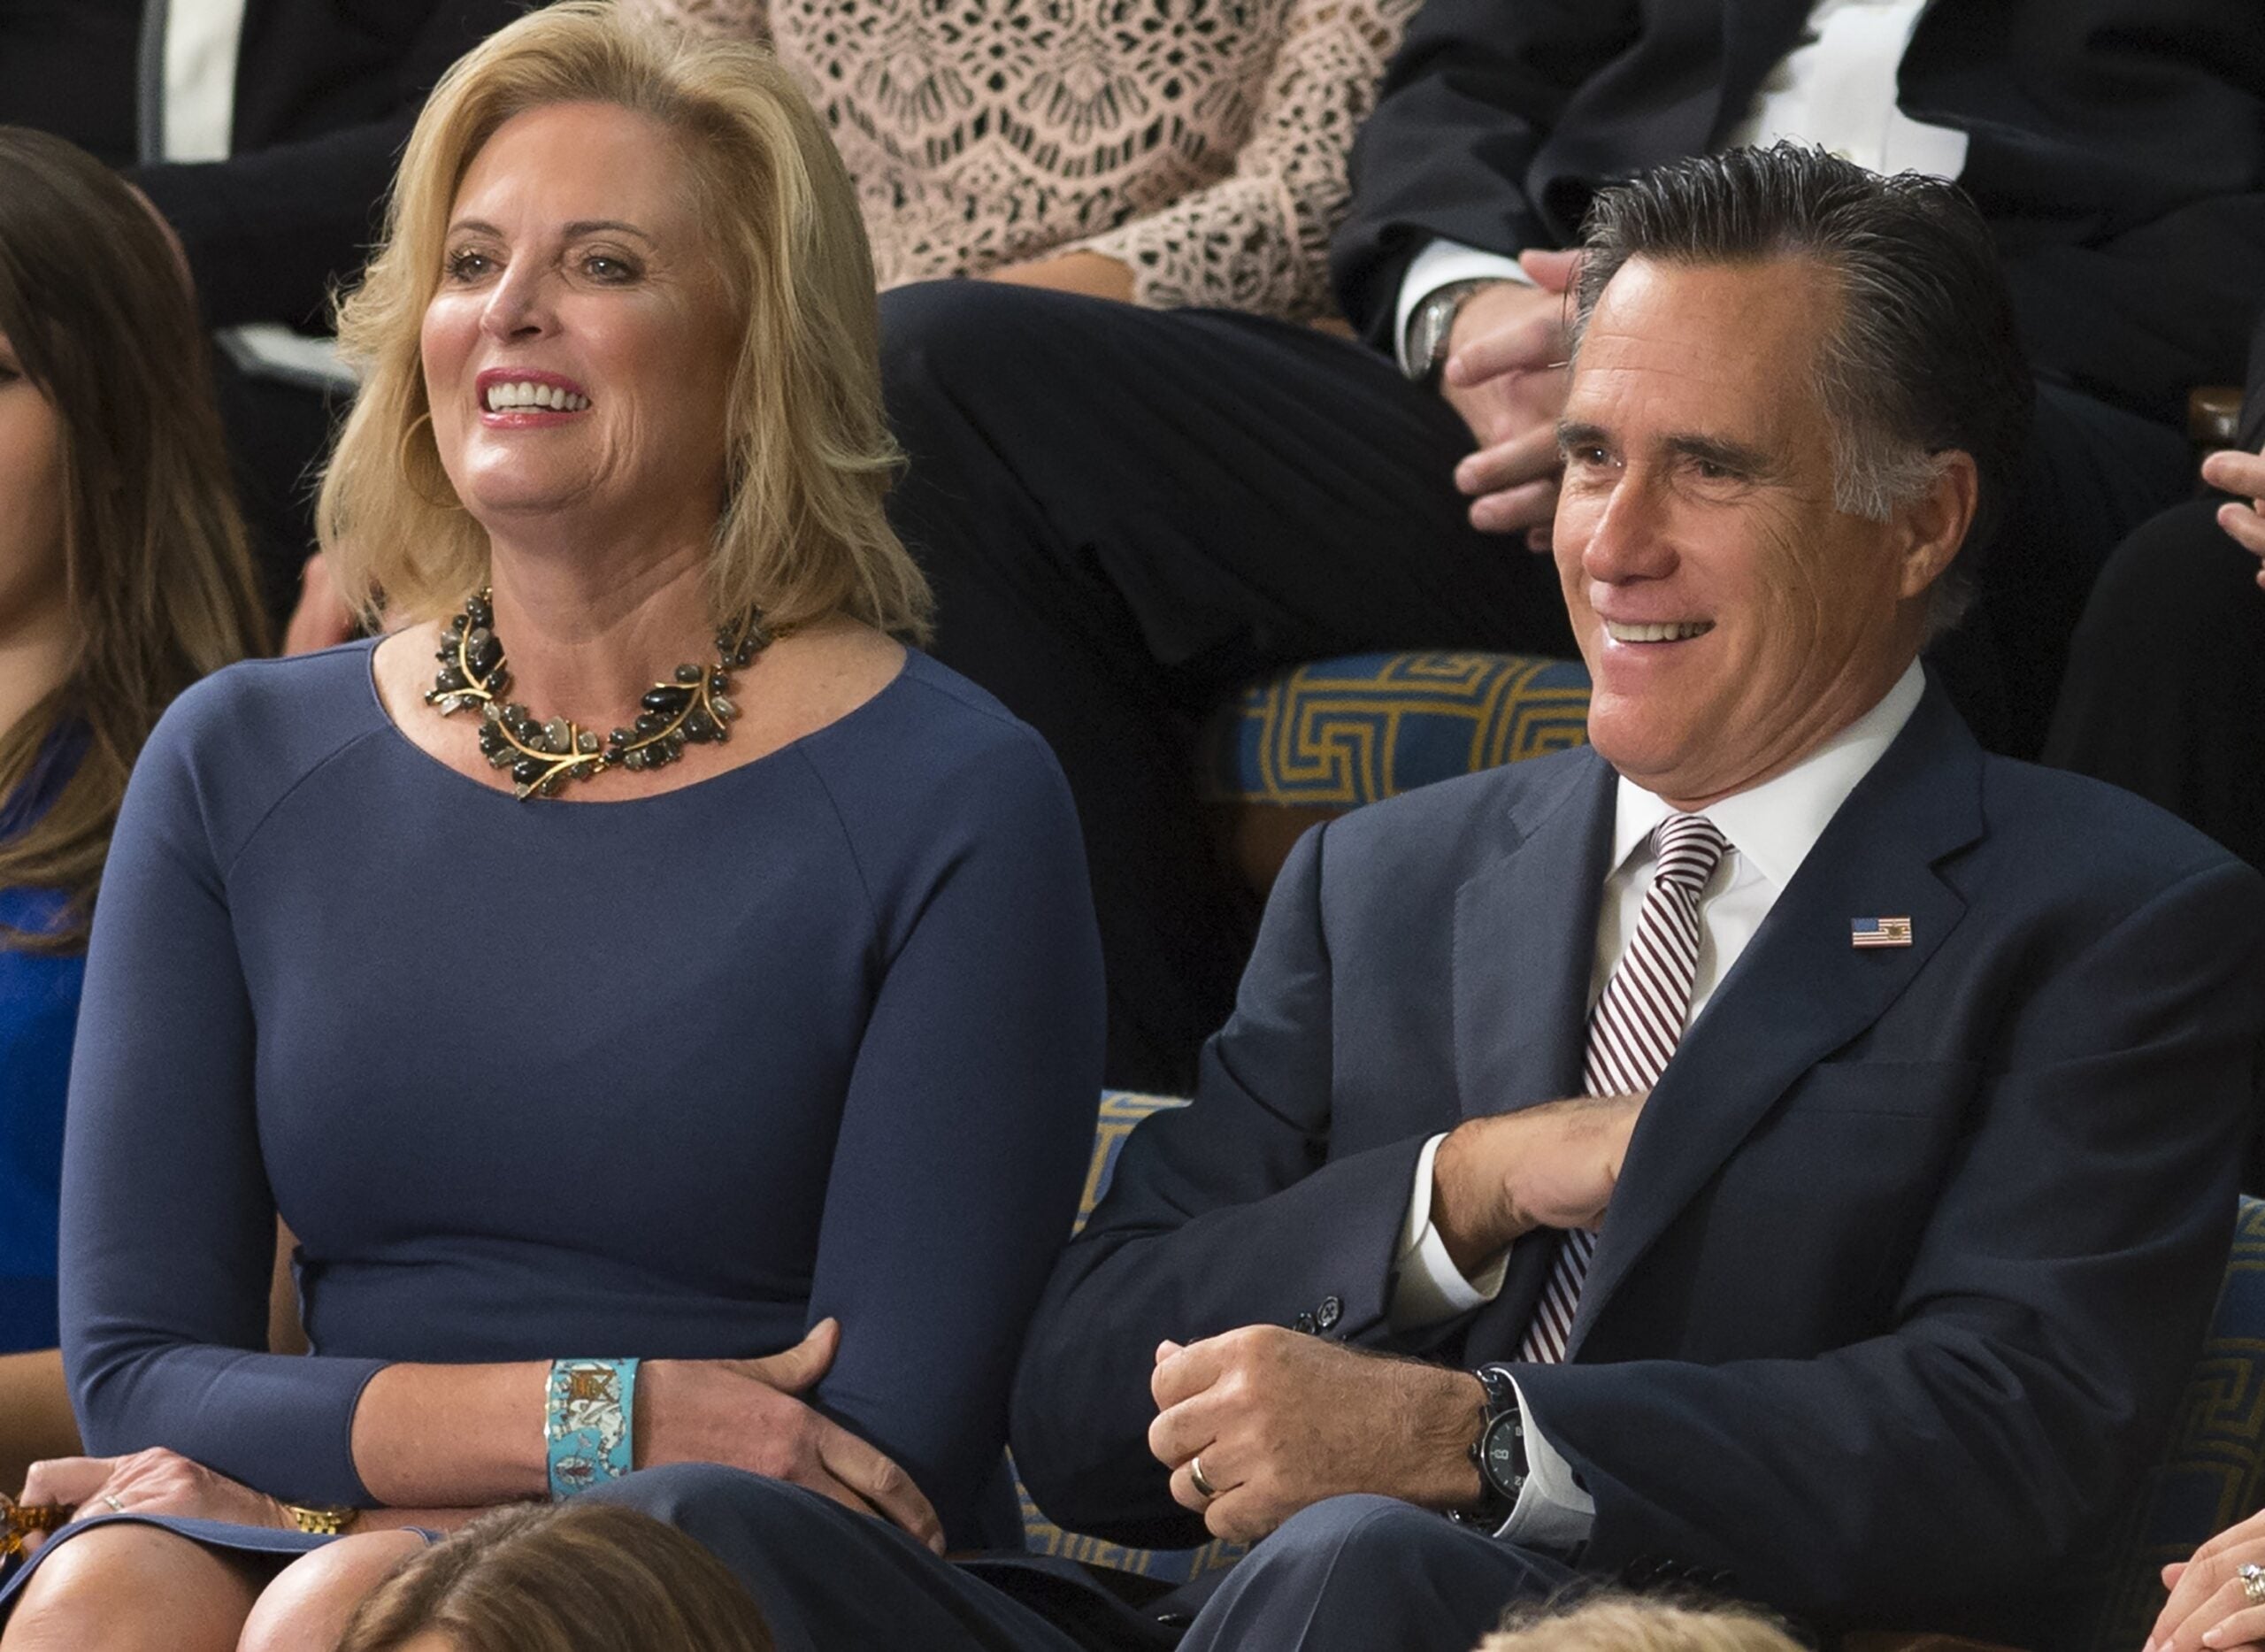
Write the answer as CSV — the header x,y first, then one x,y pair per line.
x,y
169,1223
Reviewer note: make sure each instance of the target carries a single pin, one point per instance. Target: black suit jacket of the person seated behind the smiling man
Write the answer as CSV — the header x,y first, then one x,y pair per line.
x,y
2117,148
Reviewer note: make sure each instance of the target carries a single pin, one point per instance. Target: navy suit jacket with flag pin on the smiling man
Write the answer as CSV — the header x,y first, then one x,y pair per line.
x,y
1913,1247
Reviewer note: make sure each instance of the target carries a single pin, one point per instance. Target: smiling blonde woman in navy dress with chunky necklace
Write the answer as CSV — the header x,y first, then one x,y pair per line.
x,y
663,1007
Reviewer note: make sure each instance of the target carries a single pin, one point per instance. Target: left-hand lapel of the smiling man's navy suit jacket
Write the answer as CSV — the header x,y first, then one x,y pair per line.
x,y
1525,937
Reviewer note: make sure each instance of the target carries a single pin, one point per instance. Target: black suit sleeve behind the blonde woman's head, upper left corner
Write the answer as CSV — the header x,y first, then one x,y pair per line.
x,y
271,232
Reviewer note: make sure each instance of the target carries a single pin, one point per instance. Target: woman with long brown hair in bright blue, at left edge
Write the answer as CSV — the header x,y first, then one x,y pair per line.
x,y
123,579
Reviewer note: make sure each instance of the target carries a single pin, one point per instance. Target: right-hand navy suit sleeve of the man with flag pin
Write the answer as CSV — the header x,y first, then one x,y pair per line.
x,y
2060,1293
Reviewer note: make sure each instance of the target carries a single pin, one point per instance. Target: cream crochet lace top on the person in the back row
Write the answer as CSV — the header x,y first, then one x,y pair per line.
x,y
1199,142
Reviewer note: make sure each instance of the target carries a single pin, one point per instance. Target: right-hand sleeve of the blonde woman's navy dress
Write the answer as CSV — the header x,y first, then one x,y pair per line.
x,y
968,1123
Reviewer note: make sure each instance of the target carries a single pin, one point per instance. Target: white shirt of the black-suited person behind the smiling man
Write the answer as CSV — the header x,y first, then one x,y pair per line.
x,y
1836,90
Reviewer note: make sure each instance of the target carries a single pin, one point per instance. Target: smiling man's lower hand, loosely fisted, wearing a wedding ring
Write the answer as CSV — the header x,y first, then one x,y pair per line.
x,y
1283,1422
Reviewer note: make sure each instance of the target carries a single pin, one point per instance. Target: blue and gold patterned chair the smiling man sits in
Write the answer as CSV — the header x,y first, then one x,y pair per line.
x,y
2212,1476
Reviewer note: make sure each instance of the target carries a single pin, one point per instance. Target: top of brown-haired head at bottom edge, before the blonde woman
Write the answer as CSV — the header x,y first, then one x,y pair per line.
x,y
563,1578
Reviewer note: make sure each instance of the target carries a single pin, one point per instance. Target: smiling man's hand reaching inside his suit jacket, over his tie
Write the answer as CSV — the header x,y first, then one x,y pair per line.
x,y
1541,1168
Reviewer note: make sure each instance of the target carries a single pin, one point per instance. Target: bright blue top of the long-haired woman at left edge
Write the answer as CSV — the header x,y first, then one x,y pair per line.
x,y
40,1005
